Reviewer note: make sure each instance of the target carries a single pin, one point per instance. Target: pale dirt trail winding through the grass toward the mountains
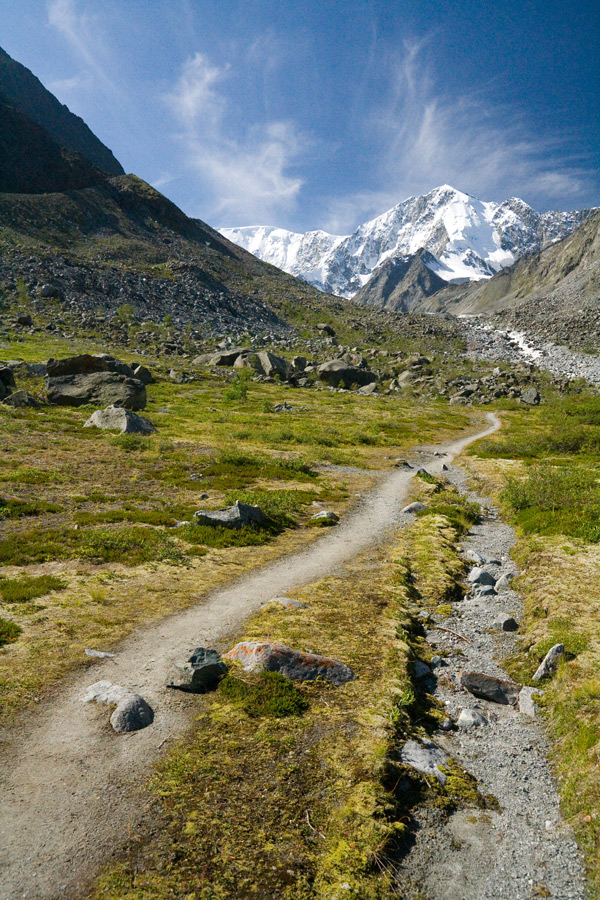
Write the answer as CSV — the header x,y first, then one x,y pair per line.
x,y
70,788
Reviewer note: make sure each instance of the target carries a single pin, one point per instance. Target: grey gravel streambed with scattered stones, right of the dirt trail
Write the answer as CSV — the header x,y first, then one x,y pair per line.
x,y
526,850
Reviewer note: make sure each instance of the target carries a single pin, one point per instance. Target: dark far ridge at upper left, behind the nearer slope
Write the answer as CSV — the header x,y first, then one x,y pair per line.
x,y
21,89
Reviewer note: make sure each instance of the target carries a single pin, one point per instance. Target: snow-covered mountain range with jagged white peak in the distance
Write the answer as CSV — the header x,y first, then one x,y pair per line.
x,y
467,239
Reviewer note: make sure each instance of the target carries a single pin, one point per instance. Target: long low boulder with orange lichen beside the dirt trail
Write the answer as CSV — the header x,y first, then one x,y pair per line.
x,y
262,656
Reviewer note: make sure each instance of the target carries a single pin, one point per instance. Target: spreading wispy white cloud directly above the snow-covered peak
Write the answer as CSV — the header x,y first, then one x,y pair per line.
x,y
423,136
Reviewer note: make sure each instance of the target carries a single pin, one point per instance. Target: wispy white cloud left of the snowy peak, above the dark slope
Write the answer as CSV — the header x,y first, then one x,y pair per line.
x,y
245,169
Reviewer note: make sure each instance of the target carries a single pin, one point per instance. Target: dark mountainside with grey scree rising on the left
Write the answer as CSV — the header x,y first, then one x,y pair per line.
x,y
71,234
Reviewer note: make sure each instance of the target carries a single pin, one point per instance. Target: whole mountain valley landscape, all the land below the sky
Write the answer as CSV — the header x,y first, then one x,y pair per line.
x,y
299,543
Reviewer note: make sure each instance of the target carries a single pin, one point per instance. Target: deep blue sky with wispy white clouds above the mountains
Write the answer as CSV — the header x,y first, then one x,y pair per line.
x,y
321,114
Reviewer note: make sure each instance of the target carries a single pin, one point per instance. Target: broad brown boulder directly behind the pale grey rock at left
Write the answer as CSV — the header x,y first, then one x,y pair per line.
x,y
99,388
